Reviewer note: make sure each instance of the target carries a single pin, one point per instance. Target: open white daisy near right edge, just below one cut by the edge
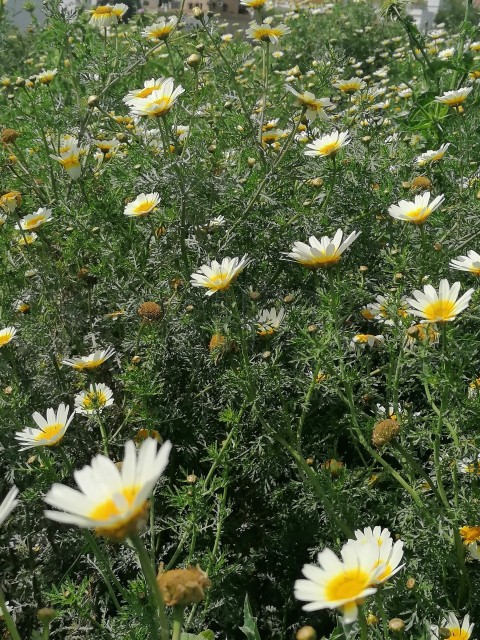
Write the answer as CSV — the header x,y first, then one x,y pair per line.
x,y
439,307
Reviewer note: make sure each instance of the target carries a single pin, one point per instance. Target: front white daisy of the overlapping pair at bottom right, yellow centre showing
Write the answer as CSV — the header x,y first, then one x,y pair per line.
x,y
340,584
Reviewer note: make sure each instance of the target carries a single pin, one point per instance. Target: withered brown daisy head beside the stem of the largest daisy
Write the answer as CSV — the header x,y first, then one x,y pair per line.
x,y
183,586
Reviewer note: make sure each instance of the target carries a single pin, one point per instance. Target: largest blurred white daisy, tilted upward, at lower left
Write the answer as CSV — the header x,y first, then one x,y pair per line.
x,y
113,502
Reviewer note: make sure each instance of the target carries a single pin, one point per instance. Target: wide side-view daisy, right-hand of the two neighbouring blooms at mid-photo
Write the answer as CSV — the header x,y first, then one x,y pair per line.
x,y
322,253
